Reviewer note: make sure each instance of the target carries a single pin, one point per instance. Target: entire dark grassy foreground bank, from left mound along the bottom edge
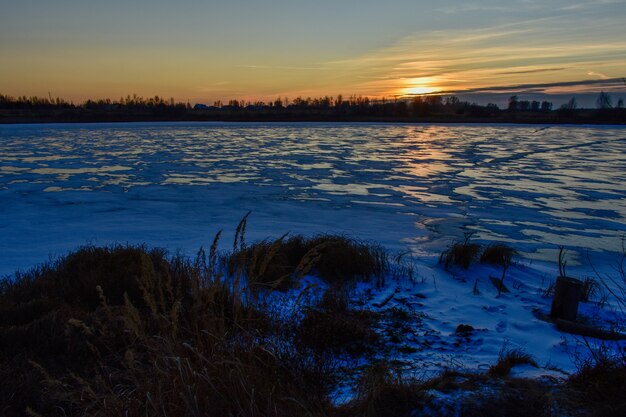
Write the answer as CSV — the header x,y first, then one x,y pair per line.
x,y
131,331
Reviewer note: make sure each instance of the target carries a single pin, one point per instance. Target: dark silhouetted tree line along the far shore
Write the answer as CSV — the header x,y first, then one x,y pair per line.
x,y
355,107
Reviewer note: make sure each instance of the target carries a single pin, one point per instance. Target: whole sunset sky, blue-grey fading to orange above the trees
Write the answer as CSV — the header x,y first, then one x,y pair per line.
x,y
204,51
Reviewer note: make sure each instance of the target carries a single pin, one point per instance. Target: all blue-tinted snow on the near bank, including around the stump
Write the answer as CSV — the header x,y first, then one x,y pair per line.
x,y
436,302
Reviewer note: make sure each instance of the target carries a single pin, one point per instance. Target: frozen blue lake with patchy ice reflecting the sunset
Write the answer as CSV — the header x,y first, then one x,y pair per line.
x,y
406,186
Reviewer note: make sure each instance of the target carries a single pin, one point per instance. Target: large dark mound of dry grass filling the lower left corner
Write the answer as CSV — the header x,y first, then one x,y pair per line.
x,y
126,331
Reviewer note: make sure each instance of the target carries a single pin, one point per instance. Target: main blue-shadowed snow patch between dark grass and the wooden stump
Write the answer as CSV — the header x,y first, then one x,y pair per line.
x,y
500,323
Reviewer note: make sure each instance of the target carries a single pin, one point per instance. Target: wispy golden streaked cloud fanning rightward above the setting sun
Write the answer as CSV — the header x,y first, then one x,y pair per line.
x,y
543,53
